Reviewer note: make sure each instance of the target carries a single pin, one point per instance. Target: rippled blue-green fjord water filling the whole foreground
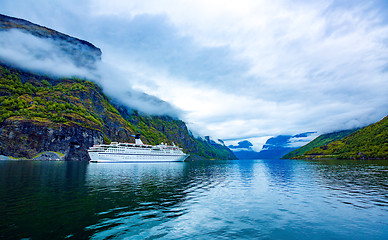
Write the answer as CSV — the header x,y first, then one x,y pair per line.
x,y
246,199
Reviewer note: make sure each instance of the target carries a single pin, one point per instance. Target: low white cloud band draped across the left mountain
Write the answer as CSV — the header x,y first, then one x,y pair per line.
x,y
45,56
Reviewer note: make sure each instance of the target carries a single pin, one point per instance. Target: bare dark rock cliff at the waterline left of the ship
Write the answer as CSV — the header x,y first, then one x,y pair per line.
x,y
27,138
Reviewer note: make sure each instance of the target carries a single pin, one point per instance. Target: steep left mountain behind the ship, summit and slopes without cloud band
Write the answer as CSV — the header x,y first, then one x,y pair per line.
x,y
44,117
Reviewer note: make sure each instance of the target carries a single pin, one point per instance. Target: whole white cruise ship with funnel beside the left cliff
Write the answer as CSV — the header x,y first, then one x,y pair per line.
x,y
136,152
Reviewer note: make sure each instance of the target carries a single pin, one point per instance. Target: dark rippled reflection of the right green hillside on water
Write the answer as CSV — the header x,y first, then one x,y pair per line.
x,y
347,181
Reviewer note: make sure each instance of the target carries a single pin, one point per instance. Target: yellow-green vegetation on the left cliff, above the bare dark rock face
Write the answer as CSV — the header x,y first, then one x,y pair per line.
x,y
57,102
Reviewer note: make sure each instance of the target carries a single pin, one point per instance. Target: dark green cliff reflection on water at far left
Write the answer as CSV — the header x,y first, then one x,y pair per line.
x,y
40,199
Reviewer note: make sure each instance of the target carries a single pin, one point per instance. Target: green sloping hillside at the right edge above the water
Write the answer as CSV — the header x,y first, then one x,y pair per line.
x,y
370,142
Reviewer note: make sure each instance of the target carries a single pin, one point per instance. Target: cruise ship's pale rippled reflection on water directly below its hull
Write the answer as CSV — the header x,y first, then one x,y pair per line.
x,y
134,196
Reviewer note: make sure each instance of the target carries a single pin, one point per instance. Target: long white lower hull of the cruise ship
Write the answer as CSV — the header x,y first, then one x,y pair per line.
x,y
132,157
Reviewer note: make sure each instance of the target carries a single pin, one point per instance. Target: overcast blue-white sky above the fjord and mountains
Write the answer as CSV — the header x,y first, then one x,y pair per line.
x,y
238,70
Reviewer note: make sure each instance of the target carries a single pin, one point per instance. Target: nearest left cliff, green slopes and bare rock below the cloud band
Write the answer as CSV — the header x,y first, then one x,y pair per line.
x,y
67,116
